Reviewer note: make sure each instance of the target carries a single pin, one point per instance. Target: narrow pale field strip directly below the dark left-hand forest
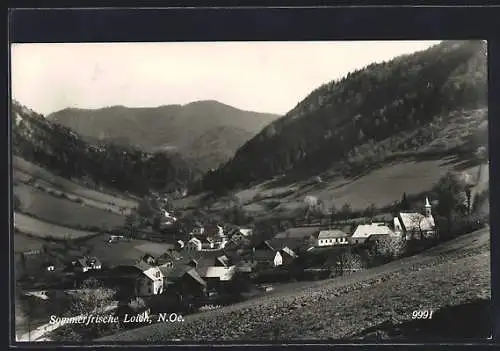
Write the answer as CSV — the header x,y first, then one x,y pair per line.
x,y
68,186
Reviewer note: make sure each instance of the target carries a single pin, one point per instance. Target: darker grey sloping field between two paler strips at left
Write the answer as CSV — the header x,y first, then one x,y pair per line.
x,y
62,211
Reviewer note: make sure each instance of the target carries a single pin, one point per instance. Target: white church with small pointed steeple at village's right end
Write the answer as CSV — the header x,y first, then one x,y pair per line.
x,y
415,225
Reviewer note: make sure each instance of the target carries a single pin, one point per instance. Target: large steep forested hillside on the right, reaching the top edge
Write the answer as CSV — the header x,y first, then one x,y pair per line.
x,y
433,101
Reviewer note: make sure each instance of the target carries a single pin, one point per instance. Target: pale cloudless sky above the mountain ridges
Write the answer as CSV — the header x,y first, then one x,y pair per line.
x,y
256,76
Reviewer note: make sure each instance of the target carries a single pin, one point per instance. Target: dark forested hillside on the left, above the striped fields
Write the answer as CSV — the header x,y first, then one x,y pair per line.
x,y
64,152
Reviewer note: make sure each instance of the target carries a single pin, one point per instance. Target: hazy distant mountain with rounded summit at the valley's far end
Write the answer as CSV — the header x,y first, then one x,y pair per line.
x,y
223,128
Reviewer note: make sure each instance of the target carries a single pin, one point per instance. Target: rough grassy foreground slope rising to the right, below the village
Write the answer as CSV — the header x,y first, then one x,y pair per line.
x,y
451,274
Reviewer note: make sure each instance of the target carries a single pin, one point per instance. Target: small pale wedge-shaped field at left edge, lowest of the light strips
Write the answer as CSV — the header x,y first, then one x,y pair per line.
x,y
33,226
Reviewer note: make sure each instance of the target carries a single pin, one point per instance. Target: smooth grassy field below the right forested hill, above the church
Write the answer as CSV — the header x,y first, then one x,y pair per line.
x,y
381,187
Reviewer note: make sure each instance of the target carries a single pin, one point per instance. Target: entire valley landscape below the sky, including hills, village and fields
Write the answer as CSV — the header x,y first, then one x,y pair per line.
x,y
366,201
